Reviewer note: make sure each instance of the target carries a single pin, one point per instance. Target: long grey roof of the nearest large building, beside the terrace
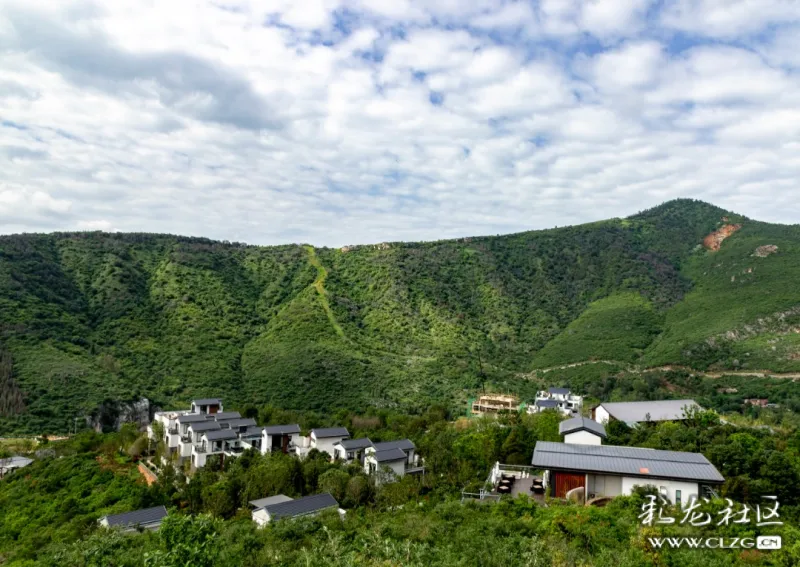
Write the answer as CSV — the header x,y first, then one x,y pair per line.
x,y
628,461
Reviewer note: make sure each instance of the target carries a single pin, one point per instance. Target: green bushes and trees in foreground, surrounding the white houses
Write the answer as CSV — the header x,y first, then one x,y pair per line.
x,y
49,510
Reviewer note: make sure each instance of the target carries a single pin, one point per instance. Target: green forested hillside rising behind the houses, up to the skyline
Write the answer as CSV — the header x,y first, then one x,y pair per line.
x,y
86,317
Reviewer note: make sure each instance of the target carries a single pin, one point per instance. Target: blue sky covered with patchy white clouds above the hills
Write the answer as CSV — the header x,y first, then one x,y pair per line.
x,y
336,122
